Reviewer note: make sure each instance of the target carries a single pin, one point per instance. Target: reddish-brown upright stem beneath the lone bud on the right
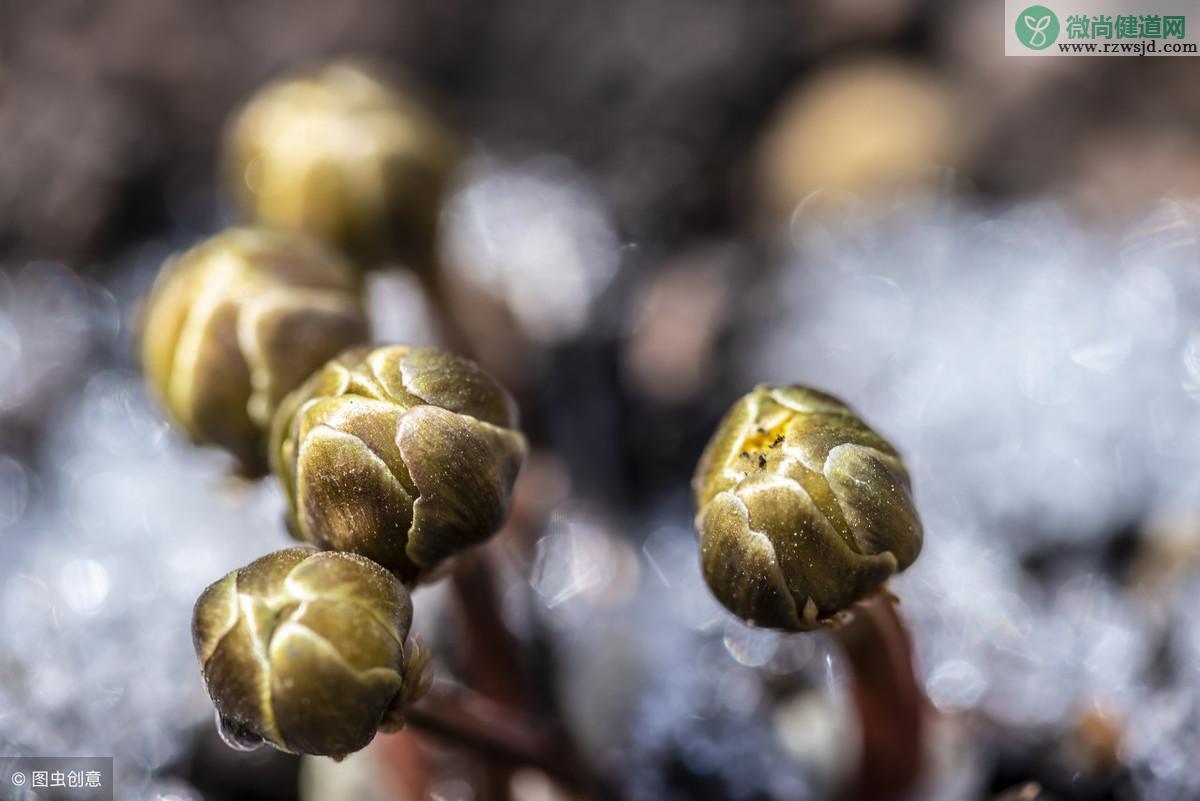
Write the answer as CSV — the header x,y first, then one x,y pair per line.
x,y
890,702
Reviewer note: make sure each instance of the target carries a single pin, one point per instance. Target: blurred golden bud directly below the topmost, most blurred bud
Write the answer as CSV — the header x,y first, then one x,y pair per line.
x,y
241,321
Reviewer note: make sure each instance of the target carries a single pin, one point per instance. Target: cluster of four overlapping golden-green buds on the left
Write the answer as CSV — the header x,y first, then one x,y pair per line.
x,y
393,460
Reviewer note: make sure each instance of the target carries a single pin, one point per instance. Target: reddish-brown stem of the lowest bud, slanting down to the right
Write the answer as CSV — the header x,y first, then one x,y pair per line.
x,y
494,732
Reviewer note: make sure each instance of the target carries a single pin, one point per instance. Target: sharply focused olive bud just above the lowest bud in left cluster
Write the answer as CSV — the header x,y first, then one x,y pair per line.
x,y
404,455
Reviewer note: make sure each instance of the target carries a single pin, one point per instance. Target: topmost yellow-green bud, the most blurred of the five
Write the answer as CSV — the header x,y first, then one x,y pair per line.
x,y
344,156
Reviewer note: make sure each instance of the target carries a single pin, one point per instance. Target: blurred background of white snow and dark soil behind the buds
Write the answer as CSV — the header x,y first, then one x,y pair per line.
x,y
665,202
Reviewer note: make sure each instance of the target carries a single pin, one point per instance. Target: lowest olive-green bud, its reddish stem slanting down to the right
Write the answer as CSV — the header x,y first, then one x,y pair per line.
x,y
309,652
